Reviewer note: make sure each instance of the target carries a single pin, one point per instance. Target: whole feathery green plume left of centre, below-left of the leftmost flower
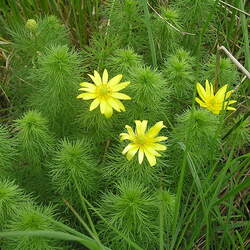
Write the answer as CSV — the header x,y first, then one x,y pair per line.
x,y
34,137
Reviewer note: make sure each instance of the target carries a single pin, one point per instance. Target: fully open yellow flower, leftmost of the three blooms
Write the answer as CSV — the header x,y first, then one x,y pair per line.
x,y
105,93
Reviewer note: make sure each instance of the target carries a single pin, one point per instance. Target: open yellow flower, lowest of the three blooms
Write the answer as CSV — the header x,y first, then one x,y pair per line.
x,y
144,142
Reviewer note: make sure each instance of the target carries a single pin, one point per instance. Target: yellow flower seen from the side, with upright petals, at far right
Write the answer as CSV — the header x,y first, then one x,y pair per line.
x,y
214,103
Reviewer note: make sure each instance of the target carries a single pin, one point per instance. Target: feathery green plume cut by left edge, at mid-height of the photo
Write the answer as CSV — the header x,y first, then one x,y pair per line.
x,y
8,150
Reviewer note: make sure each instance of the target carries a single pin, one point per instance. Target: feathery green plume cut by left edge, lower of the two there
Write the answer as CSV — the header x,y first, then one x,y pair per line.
x,y
12,198
